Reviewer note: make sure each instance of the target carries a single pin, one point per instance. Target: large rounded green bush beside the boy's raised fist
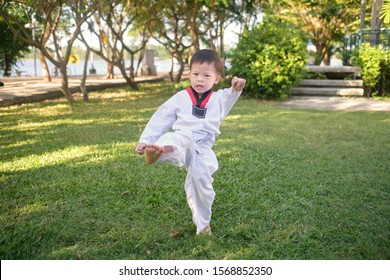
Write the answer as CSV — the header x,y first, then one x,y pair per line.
x,y
270,61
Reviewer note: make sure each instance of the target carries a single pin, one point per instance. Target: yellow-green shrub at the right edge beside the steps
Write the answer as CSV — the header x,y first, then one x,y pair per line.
x,y
375,69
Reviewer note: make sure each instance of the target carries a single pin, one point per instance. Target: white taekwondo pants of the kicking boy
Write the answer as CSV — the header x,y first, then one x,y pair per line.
x,y
197,157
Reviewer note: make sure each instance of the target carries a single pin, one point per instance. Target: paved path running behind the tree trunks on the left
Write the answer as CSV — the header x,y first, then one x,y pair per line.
x,y
21,90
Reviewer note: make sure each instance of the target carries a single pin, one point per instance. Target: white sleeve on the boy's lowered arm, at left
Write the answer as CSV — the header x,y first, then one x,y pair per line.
x,y
160,123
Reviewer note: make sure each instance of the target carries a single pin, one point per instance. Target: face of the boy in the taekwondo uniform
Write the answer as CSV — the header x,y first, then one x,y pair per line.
x,y
203,77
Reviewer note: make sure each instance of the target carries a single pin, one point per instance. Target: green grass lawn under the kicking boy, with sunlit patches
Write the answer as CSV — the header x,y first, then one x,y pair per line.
x,y
292,184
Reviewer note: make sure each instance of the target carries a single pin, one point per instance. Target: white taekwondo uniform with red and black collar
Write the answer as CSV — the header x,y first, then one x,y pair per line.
x,y
190,126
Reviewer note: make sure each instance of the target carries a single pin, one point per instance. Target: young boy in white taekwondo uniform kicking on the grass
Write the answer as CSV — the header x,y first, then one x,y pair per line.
x,y
183,130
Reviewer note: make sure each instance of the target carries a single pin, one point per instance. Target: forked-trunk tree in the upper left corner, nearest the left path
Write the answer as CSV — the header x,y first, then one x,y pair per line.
x,y
52,14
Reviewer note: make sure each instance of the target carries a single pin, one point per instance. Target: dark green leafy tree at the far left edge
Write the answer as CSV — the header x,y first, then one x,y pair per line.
x,y
11,50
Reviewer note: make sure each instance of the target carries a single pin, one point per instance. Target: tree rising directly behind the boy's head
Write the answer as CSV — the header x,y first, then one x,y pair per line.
x,y
181,26
